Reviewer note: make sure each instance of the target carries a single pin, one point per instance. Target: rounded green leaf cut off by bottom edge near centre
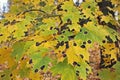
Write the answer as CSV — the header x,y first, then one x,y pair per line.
x,y
66,70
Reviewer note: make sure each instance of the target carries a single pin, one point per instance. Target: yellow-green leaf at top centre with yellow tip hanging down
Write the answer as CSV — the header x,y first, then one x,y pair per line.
x,y
70,14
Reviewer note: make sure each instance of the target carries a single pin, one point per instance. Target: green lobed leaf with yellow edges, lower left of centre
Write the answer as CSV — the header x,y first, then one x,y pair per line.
x,y
39,60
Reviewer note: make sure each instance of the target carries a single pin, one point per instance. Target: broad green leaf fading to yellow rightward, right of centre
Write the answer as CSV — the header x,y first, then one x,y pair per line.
x,y
92,32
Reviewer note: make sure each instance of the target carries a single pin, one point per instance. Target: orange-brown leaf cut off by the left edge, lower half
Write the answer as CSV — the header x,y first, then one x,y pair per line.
x,y
6,63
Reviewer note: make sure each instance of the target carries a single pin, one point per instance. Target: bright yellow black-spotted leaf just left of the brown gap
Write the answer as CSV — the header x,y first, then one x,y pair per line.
x,y
74,52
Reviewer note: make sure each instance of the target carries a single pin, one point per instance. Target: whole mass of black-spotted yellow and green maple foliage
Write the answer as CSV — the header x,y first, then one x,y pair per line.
x,y
35,34
